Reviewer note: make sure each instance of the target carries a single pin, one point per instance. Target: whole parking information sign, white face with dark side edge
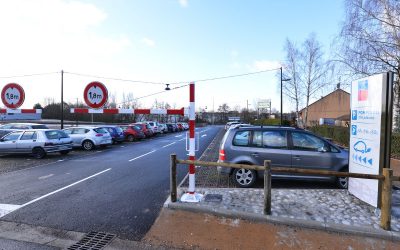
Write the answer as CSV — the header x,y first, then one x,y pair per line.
x,y
370,133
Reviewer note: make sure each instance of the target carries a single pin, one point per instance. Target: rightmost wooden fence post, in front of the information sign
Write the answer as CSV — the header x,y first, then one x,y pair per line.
x,y
386,199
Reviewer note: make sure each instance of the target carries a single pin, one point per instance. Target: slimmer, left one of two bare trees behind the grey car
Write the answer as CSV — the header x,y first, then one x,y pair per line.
x,y
292,88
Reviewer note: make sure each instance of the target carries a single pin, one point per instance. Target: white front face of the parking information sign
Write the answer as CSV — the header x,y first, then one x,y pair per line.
x,y
365,136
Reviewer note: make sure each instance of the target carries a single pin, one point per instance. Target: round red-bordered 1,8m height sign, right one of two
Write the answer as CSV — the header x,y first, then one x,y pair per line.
x,y
95,95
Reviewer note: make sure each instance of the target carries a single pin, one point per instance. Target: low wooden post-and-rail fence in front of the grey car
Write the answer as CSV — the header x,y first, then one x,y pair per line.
x,y
385,180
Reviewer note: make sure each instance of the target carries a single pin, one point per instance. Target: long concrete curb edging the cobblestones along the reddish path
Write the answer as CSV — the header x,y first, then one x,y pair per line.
x,y
330,227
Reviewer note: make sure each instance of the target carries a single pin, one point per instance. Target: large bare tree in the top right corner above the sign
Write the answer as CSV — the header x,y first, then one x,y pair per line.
x,y
370,40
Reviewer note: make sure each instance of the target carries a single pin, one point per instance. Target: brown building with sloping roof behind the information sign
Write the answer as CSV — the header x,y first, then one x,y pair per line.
x,y
332,107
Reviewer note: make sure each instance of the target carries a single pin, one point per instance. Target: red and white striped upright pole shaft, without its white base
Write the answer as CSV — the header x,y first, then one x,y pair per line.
x,y
192,144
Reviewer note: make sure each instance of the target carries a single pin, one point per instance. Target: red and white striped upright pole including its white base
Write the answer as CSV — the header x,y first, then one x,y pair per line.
x,y
191,196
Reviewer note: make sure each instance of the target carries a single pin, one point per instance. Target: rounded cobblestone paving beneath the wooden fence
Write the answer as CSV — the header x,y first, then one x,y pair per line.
x,y
322,205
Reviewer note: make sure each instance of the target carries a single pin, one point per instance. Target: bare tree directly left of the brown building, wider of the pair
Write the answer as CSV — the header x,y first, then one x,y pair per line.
x,y
313,70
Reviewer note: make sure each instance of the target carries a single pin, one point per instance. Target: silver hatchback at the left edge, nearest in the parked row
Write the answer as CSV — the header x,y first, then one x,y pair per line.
x,y
38,143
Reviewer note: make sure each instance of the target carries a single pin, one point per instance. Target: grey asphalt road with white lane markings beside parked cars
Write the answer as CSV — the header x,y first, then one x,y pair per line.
x,y
120,190
